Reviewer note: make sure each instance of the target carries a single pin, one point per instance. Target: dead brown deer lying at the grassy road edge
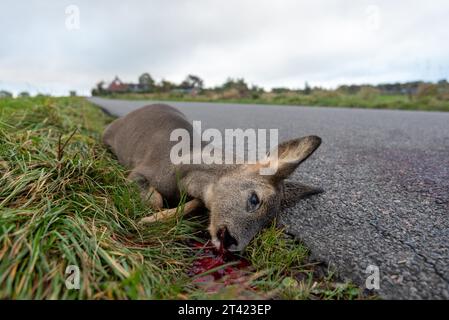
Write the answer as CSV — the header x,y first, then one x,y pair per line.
x,y
240,201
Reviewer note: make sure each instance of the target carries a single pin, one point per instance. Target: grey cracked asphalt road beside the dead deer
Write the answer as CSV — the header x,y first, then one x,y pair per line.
x,y
386,181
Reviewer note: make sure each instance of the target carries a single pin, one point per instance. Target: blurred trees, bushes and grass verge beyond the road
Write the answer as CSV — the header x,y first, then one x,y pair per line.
x,y
416,95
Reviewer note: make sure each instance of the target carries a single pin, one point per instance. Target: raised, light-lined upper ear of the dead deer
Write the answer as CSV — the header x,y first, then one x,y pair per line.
x,y
291,153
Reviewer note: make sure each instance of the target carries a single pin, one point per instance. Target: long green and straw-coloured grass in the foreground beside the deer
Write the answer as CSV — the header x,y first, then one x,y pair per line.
x,y
64,201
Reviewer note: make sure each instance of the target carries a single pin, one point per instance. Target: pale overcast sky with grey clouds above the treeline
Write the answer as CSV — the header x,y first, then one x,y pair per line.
x,y
56,46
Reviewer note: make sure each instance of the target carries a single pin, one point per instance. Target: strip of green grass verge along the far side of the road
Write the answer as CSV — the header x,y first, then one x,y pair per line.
x,y
323,98
